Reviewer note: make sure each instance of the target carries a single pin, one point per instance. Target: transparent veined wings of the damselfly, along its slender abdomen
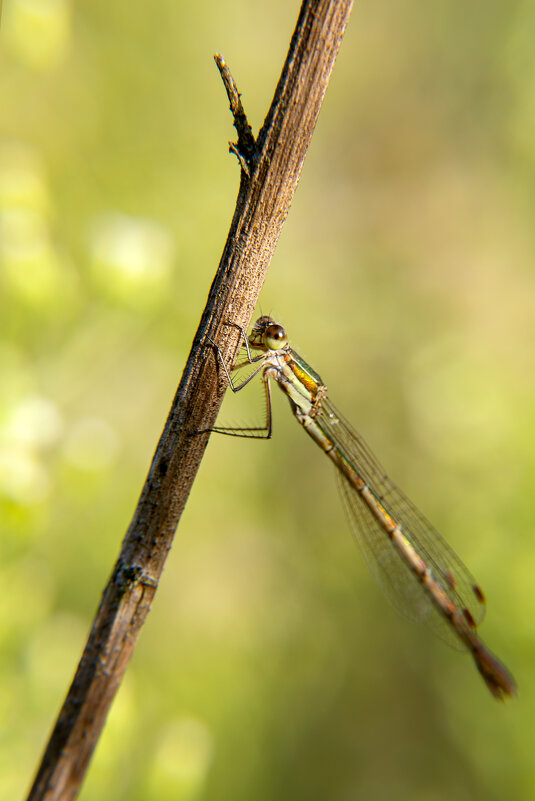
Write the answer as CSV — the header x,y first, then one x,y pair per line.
x,y
385,561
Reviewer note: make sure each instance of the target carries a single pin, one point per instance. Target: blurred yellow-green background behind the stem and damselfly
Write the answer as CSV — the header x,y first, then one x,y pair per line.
x,y
271,666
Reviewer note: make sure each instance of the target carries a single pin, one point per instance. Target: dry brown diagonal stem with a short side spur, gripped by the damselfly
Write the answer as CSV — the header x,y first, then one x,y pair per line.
x,y
263,201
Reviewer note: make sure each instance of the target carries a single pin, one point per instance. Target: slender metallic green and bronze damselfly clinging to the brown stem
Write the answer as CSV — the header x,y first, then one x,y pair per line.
x,y
419,571
